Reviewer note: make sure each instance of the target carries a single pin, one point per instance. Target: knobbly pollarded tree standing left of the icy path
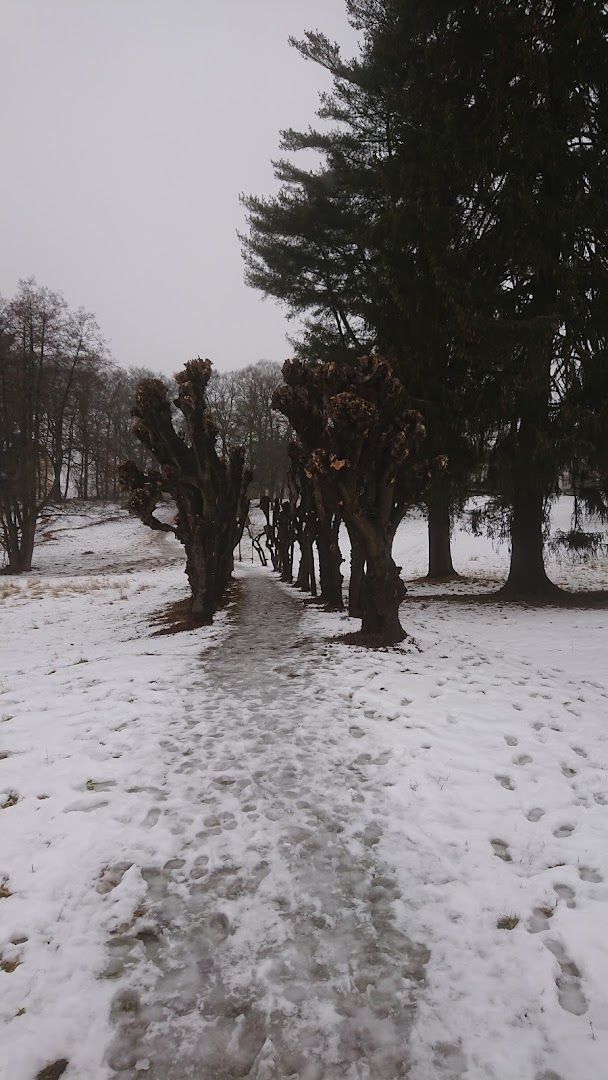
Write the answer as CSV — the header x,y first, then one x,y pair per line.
x,y
209,487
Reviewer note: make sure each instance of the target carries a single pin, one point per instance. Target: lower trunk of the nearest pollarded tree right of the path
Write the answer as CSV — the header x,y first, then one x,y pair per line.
x,y
382,596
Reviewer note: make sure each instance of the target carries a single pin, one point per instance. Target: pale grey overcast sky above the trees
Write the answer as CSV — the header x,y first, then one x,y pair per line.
x,y
129,130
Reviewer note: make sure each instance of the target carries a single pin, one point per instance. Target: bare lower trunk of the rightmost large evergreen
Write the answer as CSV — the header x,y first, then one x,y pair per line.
x,y
528,577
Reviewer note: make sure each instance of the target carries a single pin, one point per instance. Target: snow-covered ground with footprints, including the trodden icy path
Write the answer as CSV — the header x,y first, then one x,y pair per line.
x,y
255,852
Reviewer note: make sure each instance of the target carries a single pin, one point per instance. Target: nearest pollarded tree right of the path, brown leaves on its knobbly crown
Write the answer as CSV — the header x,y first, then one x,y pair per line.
x,y
362,445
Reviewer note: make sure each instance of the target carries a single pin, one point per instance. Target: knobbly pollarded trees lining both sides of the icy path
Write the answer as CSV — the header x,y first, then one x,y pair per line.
x,y
359,460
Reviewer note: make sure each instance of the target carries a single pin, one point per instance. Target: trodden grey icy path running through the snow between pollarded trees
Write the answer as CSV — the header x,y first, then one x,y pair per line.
x,y
271,947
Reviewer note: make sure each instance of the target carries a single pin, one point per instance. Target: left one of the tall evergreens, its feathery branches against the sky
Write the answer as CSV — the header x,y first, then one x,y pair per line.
x,y
375,246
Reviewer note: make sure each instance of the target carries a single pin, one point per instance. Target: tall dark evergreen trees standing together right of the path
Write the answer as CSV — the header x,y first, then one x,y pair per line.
x,y
457,225
